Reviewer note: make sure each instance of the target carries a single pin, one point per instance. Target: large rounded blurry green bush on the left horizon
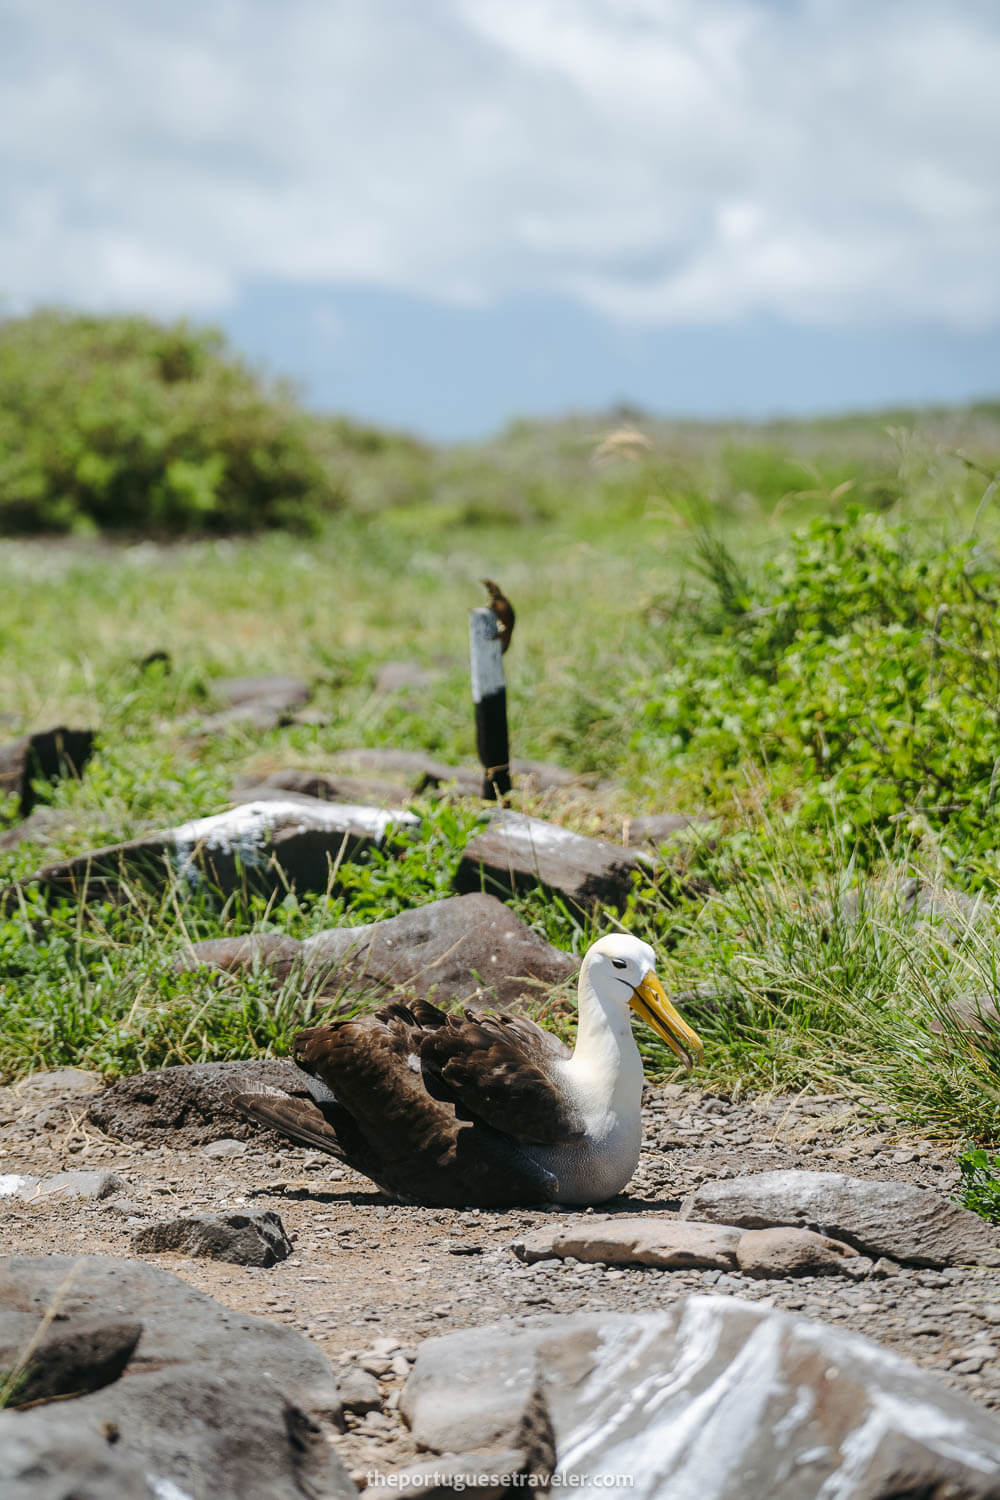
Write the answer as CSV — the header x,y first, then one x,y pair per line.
x,y
125,424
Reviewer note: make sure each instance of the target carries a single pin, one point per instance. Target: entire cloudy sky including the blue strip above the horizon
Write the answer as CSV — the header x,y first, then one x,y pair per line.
x,y
446,214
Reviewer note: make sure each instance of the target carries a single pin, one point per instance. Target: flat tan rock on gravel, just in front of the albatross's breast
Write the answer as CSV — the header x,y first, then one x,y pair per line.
x,y
635,1243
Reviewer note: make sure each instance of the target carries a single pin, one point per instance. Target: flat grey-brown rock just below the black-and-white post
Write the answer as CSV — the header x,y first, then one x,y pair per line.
x,y
519,854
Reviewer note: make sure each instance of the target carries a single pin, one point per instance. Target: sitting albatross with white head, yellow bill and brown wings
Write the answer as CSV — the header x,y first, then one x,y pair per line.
x,y
487,1111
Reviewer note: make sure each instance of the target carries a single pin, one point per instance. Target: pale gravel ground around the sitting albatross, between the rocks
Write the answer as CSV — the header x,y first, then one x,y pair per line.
x,y
370,1279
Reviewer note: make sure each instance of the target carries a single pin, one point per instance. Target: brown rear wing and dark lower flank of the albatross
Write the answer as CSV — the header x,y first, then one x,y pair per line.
x,y
415,1144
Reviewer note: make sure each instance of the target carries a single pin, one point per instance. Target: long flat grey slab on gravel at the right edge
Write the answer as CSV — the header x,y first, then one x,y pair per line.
x,y
908,1225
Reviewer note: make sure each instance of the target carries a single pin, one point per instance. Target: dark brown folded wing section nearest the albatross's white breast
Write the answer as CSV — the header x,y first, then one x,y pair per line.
x,y
500,1073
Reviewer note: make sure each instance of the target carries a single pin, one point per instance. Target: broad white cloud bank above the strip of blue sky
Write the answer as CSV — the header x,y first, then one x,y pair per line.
x,y
665,161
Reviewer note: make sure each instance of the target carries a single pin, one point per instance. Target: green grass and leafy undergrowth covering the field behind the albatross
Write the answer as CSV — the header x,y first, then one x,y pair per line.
x,y
660,602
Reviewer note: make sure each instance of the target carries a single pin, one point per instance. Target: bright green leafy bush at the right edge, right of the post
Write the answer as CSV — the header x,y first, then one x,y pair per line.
x,y
863,671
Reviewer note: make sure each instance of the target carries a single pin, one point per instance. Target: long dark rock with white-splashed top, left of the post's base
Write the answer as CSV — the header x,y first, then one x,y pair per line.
x,y
268,845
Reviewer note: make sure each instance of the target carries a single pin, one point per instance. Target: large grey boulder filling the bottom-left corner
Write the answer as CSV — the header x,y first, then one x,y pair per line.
x,y
212,1403
